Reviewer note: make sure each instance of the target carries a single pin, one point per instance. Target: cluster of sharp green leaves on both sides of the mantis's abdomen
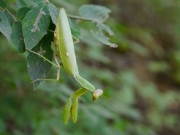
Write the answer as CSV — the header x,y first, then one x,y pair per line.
x,y
32,29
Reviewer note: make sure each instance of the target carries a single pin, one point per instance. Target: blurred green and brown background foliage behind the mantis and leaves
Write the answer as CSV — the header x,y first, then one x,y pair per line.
x,y
140,79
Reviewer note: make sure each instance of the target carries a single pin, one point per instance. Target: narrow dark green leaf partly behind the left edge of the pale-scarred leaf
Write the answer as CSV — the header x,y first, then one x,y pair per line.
x,y
17,37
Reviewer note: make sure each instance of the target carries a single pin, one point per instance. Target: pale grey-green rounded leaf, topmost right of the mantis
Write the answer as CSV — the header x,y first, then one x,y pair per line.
x,y
94,12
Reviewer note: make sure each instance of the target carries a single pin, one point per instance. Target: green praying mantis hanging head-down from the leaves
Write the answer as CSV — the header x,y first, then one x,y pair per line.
x,y
64,46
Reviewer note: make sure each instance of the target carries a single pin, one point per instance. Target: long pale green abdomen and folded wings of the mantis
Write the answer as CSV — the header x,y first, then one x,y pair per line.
x,y
64,44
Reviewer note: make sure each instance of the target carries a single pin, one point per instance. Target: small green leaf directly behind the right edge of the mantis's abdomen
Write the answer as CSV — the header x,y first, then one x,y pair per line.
x,y
74,28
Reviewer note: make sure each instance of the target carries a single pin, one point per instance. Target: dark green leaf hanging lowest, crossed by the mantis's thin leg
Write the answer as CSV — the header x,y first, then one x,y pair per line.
x,y
38,68
